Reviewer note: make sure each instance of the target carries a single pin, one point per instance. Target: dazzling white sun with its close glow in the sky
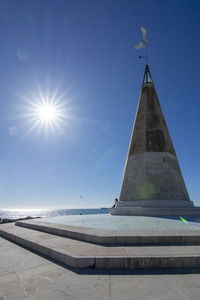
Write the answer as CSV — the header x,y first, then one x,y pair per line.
x,y
48,113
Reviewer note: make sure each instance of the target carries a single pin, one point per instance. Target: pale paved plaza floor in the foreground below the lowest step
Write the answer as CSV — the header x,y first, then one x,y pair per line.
x,y
26,275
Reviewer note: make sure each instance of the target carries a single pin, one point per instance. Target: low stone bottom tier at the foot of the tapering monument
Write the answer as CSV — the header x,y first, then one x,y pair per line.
x,y
144,211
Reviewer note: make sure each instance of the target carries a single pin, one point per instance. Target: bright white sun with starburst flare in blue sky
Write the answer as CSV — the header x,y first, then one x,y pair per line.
x,y
48,112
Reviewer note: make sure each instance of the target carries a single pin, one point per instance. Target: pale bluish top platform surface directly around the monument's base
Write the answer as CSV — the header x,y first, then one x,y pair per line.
x,y
126,223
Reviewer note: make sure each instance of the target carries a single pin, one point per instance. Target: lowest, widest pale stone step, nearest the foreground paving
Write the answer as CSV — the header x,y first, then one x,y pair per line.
x,y
79,254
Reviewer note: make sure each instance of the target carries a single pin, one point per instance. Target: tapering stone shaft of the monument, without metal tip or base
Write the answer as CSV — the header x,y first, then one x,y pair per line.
x,y
152,171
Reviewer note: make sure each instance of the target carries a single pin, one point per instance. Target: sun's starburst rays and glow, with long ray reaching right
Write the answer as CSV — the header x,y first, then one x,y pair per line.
x,y
46,112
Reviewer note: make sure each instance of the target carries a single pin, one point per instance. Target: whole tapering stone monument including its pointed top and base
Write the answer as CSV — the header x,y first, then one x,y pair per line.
x,y
152,182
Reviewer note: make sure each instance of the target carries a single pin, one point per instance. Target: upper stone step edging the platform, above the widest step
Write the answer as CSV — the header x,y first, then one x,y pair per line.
x,y
115,237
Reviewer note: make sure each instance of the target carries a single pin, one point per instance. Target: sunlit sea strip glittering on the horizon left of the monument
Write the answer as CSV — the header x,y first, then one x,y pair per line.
x,y
14,214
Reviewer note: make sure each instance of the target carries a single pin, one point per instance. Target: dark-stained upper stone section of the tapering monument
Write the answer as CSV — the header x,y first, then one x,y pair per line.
x,y
150,133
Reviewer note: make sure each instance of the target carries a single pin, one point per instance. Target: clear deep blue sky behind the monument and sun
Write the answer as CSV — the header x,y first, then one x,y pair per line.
x,y
81,54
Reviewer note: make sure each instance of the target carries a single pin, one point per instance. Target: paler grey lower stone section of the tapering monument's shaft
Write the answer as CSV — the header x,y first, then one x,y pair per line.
x,y
154,176
